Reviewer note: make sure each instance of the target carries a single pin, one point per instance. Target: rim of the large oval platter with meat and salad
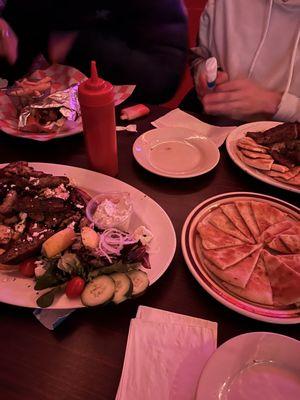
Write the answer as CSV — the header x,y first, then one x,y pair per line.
x,y
131,189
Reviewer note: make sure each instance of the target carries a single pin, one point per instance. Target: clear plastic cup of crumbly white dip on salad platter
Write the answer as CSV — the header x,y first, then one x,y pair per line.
x,y
110,210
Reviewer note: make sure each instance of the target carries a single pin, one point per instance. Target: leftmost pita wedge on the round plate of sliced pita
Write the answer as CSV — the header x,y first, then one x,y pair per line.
x,y
213,238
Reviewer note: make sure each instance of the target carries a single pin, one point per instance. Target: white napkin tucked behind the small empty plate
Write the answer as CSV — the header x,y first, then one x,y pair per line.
x,y
179,118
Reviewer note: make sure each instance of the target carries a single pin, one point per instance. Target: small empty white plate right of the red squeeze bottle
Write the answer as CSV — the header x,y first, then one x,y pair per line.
x,y
175,152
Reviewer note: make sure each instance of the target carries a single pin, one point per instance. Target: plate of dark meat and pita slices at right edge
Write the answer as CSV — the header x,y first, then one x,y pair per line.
x,y
269,151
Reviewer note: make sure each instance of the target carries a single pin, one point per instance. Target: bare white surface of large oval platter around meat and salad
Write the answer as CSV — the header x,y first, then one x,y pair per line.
x,y
19,291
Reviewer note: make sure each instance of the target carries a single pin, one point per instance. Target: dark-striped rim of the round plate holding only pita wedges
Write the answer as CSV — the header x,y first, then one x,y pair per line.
x,y
232,301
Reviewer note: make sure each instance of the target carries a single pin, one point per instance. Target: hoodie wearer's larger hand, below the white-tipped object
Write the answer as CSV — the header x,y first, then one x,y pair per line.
x,y
241,98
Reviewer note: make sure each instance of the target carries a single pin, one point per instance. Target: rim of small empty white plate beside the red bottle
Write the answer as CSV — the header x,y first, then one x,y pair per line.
x,y
147,165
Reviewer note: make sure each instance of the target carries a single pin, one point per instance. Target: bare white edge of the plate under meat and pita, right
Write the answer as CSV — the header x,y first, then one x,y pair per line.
x,y
231,146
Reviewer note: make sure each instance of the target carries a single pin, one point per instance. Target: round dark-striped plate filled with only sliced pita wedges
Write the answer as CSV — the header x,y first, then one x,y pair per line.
x,y
244,249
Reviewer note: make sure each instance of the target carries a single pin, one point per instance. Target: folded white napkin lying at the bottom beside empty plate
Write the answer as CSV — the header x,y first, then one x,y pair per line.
x,y
165,355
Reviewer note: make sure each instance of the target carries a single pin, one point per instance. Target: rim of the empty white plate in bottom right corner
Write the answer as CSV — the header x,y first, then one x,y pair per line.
x,y
239,339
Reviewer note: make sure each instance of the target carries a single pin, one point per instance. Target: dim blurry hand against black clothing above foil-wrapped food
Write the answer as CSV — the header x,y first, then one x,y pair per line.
x,y
60,43
